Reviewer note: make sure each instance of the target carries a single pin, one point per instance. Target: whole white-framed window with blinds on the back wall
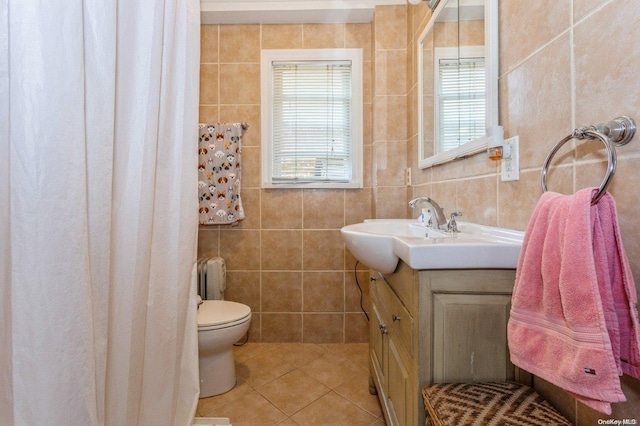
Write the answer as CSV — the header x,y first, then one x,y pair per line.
x,y
312,118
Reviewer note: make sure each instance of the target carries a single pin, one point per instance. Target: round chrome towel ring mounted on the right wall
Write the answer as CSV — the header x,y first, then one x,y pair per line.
x,y
617,132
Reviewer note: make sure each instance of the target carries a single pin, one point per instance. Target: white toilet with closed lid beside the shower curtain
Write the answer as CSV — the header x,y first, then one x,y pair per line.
x,y
221,323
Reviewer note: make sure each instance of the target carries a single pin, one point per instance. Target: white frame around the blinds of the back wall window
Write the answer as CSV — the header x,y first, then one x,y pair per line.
x,y
268,57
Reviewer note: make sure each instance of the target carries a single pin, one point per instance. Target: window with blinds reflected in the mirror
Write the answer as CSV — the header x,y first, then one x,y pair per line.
x,y
460,96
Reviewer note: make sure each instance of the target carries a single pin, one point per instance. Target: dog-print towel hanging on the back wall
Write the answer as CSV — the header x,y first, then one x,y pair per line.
x,y
219,173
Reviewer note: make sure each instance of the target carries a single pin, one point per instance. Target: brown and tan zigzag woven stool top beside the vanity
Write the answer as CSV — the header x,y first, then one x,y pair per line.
x,y
495,404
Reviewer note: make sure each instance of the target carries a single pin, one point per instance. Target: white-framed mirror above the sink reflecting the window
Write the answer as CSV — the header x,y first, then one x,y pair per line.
x,y
457,80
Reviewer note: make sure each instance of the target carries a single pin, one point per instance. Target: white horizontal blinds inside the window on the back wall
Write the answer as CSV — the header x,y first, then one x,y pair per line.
x,y
311,124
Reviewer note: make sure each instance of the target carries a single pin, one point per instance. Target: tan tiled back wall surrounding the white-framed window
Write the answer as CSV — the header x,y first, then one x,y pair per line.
x,y
287,260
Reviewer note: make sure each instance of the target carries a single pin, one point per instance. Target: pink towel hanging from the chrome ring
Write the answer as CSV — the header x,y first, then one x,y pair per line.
x,y
574,320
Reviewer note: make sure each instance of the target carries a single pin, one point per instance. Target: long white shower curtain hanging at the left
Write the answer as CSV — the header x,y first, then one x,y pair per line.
x,y
98,211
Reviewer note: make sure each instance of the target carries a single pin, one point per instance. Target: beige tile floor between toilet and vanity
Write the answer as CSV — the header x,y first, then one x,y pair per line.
x,y
302,384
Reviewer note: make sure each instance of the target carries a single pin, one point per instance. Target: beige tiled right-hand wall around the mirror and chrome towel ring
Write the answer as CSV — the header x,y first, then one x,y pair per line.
x,y
563,64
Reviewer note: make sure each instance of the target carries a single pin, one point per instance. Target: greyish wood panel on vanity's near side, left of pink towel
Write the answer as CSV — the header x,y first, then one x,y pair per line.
x,y
470,337
